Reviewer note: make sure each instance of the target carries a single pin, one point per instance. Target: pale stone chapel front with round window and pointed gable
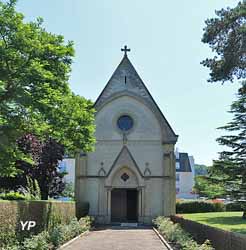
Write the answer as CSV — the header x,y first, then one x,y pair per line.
x,y
139,158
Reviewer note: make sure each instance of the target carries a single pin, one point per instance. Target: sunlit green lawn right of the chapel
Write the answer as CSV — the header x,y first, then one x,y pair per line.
x,y
231,221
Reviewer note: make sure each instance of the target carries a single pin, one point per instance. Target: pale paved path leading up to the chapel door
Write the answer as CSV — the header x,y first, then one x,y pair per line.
x,y
118,239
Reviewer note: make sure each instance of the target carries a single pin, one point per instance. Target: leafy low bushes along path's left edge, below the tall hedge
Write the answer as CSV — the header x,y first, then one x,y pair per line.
x,y
54,237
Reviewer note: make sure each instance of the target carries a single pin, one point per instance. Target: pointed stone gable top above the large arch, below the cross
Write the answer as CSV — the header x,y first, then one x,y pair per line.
x,y
125,80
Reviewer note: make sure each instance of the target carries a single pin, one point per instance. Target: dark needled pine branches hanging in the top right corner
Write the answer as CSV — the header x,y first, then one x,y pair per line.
x,y
226,35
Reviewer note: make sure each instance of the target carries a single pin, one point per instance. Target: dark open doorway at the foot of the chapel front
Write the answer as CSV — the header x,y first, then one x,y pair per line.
x,y
124,205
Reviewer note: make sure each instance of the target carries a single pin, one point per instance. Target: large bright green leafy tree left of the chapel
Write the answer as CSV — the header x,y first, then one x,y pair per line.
x,y
34,92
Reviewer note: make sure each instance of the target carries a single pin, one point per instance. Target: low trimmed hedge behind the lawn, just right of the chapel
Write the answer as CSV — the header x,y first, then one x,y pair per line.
x,y
199,206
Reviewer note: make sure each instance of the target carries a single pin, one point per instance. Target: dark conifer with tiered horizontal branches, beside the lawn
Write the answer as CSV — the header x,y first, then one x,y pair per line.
x,y
230,169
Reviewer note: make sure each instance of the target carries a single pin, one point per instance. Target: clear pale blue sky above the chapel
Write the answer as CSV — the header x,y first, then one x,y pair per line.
x,y
166,50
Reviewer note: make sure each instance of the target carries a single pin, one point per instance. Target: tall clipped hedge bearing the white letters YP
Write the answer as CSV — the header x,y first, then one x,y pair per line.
x,y
46,214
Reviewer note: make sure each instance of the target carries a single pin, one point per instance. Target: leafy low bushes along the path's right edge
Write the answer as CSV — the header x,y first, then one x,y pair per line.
x,y
177,237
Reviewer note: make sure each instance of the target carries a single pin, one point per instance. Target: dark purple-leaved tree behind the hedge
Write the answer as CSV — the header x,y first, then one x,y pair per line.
x,y
44,169
